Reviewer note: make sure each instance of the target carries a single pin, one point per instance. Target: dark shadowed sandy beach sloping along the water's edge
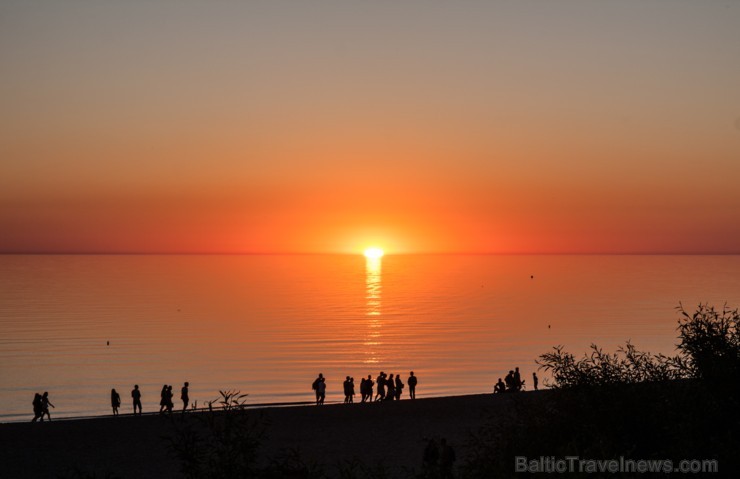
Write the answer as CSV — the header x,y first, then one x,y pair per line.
x,y
391,434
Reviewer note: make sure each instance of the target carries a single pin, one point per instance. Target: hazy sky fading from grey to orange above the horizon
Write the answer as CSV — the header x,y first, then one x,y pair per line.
x,y
330,126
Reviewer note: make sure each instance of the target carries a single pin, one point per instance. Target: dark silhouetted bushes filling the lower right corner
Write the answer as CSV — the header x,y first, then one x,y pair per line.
x,y
630,404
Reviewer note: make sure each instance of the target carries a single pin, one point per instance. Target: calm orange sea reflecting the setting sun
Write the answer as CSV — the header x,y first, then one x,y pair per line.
x,y
266,325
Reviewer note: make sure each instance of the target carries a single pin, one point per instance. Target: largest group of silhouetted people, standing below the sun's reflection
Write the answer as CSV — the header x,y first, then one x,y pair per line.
x,y
388,388
